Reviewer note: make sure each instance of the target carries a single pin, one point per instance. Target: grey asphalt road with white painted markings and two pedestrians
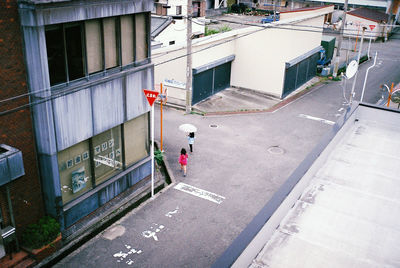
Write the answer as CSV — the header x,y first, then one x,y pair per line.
x,y
241,160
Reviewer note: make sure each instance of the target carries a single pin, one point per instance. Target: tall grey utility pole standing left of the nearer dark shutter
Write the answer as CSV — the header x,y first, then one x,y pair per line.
x,y
189,58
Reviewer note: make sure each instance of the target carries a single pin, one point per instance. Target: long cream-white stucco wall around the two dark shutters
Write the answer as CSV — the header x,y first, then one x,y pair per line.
x,y
260,56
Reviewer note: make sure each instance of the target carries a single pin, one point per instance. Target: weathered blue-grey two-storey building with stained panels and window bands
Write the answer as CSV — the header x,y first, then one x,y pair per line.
x,y
87,63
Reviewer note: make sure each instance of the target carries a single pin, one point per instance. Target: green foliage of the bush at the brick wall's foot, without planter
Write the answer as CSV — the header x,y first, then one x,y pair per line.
x,y
42,233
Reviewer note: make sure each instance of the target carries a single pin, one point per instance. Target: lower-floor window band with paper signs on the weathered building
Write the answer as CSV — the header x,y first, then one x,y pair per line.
x,y
87,164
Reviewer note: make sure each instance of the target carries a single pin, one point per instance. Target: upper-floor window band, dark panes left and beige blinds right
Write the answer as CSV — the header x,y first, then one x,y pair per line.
x,y
76,50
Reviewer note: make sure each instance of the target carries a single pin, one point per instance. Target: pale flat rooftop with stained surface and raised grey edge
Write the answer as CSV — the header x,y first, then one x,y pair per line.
x,y
345,210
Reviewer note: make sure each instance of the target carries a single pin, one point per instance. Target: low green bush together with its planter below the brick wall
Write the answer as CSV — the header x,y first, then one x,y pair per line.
x,y
43,238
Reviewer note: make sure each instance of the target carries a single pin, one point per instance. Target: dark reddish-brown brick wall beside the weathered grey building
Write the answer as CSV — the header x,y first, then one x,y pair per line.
x,y
16,127
